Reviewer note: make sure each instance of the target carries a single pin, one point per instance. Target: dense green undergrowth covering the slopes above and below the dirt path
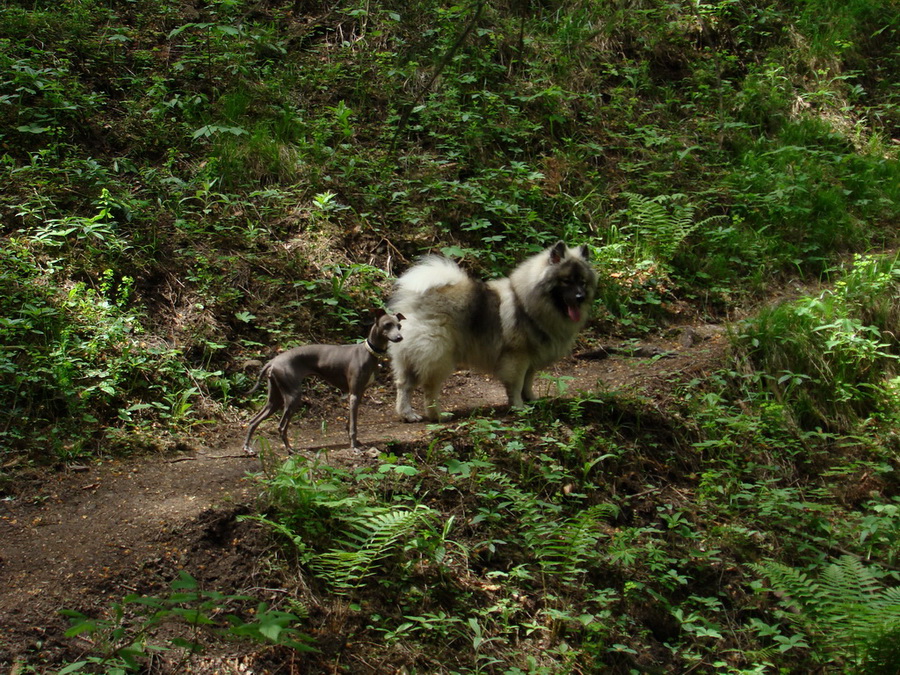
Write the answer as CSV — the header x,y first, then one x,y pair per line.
x,y
189,186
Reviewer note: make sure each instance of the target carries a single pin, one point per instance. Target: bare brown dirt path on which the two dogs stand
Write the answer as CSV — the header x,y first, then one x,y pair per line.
x,y
84,537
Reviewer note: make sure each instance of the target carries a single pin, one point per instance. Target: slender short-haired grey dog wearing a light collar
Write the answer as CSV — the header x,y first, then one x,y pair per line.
x,y
350,368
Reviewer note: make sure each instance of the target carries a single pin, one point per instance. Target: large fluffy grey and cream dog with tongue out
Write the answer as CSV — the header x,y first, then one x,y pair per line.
x,y
509,328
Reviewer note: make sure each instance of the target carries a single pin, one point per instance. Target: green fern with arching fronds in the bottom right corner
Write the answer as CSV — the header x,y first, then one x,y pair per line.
x,y
846,612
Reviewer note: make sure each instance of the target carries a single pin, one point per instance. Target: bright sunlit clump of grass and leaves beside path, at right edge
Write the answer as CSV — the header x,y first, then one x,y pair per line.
x,y
819,356
